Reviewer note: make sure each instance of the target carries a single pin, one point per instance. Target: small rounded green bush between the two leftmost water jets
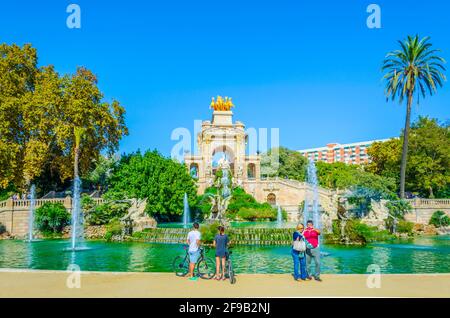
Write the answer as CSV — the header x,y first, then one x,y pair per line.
x,y
51,218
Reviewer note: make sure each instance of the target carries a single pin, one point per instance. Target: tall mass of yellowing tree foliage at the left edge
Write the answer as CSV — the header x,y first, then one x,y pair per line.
x,y
39,109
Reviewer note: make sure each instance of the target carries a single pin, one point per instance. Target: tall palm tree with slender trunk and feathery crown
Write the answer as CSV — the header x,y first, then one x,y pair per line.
x,y
415,67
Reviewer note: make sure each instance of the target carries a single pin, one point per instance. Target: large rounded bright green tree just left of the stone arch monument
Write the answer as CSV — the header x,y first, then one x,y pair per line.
x,y
161,180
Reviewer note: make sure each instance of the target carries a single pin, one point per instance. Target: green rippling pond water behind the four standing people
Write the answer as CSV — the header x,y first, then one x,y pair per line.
x,y
423,255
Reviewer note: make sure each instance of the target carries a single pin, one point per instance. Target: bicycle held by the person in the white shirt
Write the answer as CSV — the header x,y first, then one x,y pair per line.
x,y
205,267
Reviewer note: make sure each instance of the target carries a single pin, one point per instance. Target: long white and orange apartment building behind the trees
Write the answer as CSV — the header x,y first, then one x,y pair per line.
x,y
353,153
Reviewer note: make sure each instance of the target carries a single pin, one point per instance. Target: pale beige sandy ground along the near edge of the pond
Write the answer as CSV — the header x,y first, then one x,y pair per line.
x,y
18,283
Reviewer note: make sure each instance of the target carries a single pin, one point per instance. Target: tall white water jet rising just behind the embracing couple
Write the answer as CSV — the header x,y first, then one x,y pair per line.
x,y
311,207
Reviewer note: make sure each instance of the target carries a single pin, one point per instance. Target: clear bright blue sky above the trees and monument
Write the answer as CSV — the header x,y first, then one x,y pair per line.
x,y
310,68
